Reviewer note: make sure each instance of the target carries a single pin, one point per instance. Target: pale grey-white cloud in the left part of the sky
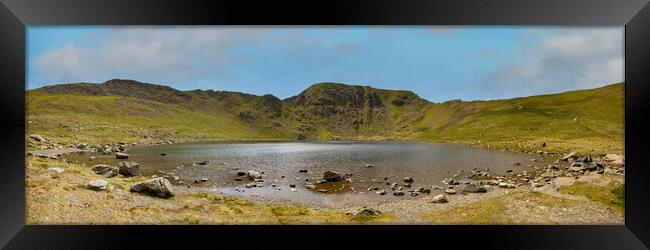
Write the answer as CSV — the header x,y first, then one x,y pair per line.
x,y
140,53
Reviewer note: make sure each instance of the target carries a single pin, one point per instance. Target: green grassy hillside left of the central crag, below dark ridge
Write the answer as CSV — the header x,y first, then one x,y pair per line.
x,y
110,118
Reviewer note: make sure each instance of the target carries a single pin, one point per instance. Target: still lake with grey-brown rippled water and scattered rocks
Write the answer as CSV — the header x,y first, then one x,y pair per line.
x,y
427,163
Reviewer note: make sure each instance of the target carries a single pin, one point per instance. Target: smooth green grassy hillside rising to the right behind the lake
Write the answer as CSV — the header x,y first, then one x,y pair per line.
x,y
586,120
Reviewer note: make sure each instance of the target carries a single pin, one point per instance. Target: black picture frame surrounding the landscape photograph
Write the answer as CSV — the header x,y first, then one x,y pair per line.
x,y
15,15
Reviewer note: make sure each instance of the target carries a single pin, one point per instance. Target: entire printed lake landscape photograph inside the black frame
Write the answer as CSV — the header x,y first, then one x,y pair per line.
x,y
382,125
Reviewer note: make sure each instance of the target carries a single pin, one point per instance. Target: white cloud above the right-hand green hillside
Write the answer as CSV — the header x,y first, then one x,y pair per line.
x,y
559,60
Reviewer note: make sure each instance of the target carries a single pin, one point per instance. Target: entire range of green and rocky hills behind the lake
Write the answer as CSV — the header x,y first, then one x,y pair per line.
x,y
590,121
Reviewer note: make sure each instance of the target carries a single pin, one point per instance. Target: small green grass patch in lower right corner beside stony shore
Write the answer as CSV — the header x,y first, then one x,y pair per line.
x,y
611,195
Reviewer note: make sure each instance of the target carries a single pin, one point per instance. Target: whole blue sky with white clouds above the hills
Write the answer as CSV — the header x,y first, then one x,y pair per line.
x,y
438,63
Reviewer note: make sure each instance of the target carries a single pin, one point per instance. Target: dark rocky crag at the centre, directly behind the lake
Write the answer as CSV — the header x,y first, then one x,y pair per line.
x,y
347,110
